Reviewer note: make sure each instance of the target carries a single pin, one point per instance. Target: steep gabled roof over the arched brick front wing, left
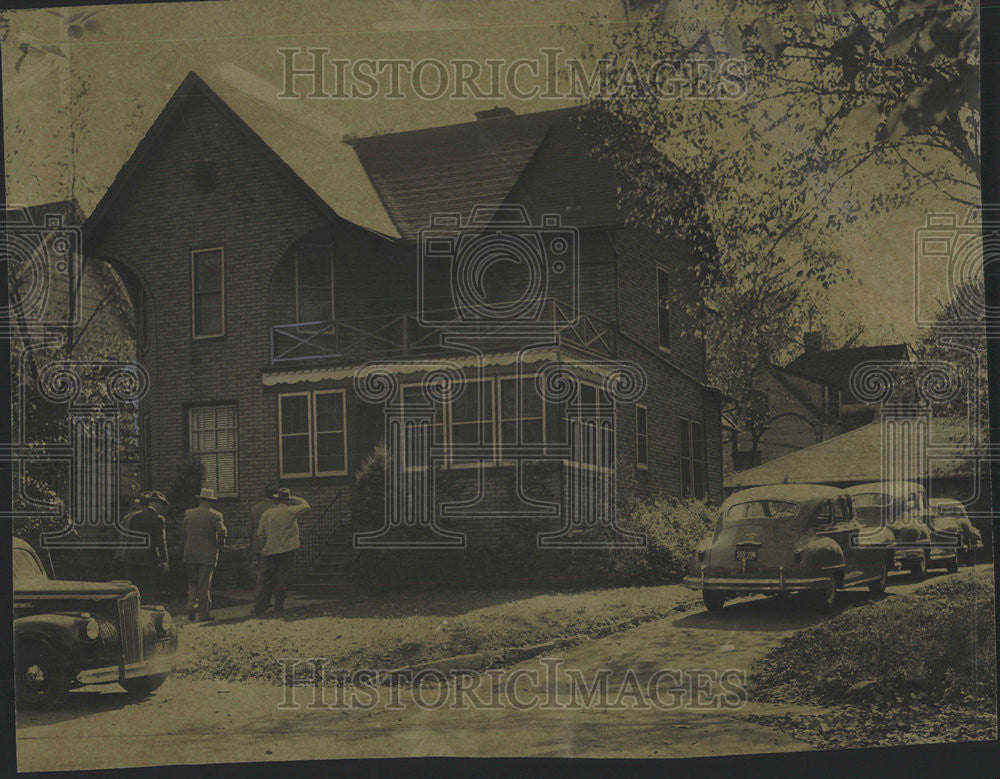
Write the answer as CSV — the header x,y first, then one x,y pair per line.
x,y
326,168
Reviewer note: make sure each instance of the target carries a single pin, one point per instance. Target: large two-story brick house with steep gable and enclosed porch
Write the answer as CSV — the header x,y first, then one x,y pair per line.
x,y
270,264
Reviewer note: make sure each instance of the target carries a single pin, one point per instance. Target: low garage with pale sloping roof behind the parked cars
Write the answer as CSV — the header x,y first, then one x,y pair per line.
x,y
935,451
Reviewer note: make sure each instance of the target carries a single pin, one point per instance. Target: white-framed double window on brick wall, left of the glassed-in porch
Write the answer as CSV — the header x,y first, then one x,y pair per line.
x,y
312,433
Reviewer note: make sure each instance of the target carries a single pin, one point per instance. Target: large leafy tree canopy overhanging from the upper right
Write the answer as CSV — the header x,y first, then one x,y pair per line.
x,y
840,110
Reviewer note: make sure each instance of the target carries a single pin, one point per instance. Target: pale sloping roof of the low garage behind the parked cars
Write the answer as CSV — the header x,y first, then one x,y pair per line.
x,y
855,457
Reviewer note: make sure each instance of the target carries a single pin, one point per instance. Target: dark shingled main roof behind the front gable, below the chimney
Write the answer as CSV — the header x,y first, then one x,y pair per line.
x,y
453,168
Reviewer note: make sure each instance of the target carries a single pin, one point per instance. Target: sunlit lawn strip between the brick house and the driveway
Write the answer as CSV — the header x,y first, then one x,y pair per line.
x,y
382,631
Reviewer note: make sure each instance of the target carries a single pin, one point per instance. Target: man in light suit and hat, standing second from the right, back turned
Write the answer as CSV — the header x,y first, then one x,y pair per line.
x,y
203,534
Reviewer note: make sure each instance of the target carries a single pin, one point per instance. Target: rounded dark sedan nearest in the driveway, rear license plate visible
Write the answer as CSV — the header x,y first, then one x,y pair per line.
x,y
789,538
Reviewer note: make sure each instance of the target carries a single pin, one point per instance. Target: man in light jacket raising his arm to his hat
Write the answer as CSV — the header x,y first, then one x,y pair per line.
x,y
279,531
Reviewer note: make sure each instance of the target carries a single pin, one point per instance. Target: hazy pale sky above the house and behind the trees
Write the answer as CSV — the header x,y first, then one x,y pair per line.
x,y
134,57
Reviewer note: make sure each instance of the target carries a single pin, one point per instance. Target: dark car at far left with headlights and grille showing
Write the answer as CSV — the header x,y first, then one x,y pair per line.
x,y
73,633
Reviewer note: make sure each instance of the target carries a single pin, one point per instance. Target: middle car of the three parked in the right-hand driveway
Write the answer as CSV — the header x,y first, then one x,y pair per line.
x,y
902,506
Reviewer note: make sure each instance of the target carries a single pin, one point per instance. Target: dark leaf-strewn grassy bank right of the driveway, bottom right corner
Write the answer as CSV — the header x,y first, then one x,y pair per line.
x,y
936,645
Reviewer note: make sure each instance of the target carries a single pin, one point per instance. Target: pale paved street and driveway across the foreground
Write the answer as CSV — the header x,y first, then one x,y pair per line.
x,y
190,721
